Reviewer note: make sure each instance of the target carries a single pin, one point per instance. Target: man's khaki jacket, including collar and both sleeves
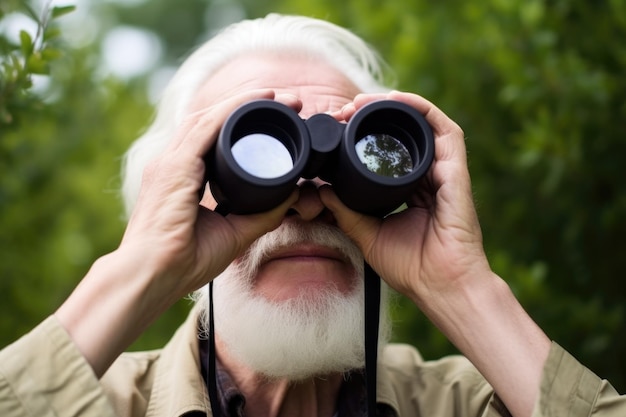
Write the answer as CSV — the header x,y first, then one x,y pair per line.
x,y
43,374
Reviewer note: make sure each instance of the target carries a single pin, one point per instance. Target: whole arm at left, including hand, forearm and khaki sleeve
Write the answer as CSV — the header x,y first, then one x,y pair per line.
x,y
172,246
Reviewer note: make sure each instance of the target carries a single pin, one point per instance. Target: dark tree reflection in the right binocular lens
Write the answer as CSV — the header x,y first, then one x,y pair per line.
x,y
384,155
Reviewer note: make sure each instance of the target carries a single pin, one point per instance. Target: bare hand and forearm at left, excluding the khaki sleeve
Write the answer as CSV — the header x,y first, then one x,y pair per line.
x,y
171,246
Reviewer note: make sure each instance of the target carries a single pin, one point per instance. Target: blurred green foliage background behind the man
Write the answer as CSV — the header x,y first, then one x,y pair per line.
x,y
538,87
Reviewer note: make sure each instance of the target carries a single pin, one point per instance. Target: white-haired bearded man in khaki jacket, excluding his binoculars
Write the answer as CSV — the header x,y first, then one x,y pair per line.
x,y
289,281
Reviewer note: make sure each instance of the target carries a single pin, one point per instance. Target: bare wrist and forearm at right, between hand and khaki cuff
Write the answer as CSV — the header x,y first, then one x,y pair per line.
x,y
484,320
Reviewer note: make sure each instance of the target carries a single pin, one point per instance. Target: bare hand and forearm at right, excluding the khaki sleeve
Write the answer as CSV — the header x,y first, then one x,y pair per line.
x,y
433,253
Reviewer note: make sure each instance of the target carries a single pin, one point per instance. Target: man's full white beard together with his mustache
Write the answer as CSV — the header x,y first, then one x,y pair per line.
x,y
312,334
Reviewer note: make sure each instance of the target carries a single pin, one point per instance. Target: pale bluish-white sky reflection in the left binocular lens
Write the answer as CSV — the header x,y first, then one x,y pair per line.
x,y
262,155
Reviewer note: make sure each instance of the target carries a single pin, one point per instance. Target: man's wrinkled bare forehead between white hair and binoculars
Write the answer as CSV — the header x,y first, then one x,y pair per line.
x,y
319,85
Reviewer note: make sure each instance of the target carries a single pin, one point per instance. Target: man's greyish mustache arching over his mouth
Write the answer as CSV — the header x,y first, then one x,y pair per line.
x,y
292,233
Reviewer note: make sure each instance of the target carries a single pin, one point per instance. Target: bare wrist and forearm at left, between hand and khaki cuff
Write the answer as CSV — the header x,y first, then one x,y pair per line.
x,y
110,308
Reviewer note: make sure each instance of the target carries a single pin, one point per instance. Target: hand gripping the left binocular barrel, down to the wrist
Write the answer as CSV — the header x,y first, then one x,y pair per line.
x,y
189,243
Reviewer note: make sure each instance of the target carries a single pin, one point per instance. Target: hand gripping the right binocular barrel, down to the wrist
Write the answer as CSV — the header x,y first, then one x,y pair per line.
x,y
436,242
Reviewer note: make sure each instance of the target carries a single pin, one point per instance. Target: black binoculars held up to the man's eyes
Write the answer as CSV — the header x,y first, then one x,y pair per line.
x,y
373,162
